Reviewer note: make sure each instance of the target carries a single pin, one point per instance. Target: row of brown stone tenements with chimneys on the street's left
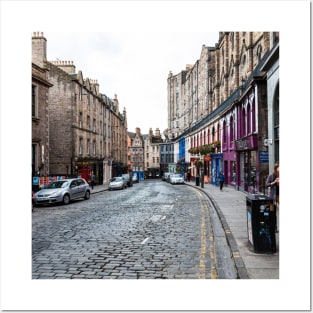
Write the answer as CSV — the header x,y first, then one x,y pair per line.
x,y
83,129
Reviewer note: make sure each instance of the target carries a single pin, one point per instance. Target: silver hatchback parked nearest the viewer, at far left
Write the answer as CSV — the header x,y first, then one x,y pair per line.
x,y
64,191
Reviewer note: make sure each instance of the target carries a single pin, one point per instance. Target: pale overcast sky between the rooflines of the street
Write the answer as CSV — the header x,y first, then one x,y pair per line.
x,y
132,65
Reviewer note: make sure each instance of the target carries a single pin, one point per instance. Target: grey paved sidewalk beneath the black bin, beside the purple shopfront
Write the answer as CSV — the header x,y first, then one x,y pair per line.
x,y
231,207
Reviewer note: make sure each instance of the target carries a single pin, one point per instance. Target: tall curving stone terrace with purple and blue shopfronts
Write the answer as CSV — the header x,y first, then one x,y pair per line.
x,y
223,111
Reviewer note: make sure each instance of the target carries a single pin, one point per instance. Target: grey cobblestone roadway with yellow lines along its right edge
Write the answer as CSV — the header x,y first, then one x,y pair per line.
x,y
151,230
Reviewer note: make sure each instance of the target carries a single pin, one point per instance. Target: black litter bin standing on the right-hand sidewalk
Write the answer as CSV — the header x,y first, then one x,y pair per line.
x,y
261,223
